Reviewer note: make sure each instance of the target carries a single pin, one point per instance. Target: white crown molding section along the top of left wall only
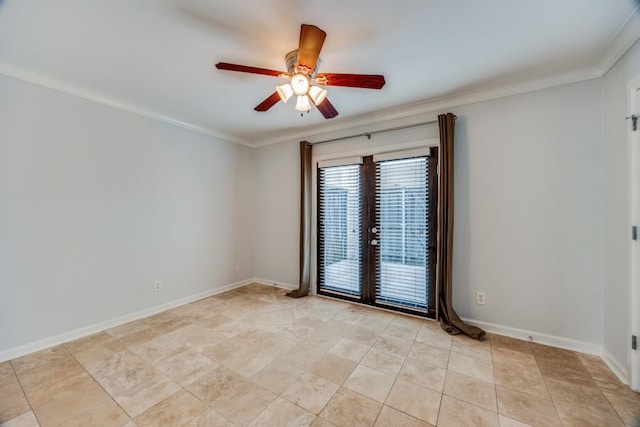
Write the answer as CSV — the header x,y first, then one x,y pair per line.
x,y
71,88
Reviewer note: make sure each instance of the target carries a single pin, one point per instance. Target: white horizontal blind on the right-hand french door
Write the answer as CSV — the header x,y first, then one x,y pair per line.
x,y
402,250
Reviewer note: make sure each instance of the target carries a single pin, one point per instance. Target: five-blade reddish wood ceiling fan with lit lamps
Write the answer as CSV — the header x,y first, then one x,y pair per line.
x,y
304,80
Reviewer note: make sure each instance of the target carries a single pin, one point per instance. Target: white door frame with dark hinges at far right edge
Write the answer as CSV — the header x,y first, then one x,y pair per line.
x,y
633,149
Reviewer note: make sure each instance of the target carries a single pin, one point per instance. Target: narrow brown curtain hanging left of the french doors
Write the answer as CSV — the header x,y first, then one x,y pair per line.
x,y
305,222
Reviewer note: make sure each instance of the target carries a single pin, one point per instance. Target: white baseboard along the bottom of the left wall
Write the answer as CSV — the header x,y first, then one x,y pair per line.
x,y
64,337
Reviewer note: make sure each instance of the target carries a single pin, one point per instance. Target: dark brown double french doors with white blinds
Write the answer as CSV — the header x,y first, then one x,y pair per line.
x,y
377,230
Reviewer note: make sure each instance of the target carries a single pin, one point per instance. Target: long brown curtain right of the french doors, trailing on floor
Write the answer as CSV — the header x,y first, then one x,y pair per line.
x,y
447,316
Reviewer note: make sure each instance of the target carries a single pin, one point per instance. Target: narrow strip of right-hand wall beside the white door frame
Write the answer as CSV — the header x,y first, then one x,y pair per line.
x,y
617,206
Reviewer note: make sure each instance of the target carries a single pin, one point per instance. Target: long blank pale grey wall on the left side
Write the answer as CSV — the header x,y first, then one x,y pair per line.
x,y
97,203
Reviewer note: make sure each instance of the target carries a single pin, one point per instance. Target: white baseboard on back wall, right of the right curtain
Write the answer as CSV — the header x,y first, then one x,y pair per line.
x,y
538,337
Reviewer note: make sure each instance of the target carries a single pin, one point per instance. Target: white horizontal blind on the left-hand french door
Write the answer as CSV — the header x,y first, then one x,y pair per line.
x,y
339,227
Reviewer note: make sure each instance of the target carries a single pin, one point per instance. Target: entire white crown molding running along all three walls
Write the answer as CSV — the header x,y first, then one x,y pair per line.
x,y
626,36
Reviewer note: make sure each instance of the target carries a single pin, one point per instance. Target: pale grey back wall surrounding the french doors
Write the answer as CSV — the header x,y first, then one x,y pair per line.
x,y
528,209
